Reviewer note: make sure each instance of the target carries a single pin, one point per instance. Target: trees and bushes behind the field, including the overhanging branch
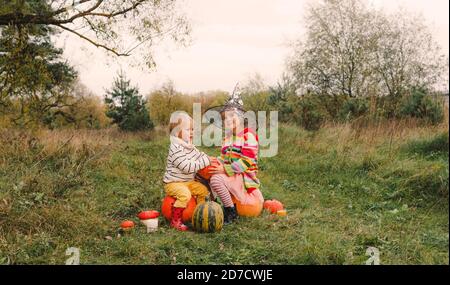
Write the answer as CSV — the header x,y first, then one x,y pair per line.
x,y
354,61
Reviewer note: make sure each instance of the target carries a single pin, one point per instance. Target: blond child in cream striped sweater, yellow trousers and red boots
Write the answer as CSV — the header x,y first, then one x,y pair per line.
x,y
183,161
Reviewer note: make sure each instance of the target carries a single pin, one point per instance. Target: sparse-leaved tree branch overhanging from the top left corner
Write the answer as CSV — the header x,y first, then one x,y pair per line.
x,y
105,22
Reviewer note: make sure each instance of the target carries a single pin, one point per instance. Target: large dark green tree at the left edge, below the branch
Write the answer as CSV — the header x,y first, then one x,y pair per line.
x,y
35,79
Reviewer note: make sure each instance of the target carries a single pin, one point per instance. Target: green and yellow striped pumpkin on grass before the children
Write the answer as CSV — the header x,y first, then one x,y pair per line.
x,y
207,218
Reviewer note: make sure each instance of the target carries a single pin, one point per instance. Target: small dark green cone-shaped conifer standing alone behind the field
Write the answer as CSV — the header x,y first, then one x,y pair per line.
x,y
126,107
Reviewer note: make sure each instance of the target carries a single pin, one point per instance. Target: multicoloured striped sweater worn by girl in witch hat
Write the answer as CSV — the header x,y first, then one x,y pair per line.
x,y
240,156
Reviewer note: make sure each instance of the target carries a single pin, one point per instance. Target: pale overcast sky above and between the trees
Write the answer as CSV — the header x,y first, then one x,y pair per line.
x,y
231,41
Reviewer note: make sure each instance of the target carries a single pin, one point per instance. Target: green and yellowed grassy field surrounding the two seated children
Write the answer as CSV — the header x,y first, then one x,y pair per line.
x,y
345,187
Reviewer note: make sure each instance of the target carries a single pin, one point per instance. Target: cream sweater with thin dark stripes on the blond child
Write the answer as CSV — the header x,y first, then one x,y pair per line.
x,y
183,161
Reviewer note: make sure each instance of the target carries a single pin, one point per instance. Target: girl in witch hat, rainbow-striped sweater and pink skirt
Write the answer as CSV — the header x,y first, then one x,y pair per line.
x,y
236,174
